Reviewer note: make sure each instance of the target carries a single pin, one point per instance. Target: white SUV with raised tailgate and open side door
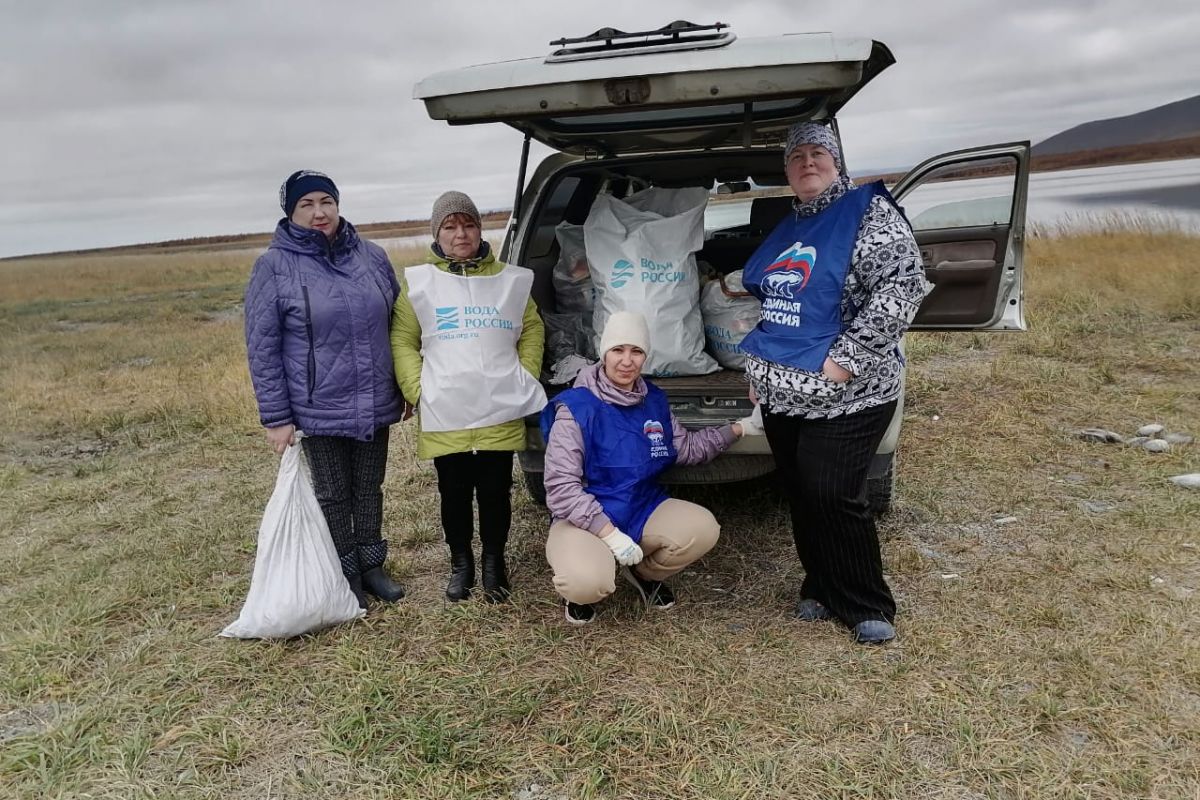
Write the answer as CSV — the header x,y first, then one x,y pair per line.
x,y
692,106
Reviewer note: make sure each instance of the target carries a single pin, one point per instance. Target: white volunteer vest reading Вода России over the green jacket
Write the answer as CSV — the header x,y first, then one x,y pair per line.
x,y
471,377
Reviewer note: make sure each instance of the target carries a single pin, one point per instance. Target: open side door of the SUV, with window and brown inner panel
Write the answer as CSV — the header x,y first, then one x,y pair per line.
x,y
968,212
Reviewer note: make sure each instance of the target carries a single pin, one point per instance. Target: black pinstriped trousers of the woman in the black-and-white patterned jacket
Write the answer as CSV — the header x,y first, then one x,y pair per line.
x,y
823,468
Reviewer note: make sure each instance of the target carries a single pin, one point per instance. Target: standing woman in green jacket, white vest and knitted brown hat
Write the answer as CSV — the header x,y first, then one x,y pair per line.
x,y
467,344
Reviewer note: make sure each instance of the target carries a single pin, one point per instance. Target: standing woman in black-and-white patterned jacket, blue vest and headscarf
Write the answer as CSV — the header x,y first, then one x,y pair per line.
x,y
839,279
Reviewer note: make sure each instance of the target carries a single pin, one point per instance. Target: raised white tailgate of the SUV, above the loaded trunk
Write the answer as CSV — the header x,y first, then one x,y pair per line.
x,y
736,94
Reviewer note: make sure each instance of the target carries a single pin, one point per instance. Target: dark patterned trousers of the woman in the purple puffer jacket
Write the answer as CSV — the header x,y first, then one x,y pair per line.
x,y
347,477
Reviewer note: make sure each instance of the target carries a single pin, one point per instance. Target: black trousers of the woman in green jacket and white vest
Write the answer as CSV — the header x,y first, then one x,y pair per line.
x,y
484,477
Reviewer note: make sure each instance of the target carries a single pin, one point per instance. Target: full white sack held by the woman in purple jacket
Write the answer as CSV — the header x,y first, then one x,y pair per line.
x,y
298,584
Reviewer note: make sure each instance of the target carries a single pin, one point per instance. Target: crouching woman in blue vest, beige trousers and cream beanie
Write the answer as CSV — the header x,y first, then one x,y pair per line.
x,y
608,441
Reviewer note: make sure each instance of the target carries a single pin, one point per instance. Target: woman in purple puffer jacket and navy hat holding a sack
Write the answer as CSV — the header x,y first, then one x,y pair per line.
x,y
317,311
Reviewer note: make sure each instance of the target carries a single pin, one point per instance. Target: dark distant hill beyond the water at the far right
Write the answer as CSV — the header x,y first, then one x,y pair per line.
x,y
1178,121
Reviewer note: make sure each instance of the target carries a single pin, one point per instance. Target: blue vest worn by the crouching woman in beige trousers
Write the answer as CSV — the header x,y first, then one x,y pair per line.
x,y
626,448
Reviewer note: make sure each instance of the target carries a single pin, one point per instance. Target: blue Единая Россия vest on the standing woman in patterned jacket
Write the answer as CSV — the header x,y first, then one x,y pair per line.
x,y
799,274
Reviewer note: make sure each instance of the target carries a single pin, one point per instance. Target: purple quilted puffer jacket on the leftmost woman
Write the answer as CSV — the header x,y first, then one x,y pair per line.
x,y
317,317
